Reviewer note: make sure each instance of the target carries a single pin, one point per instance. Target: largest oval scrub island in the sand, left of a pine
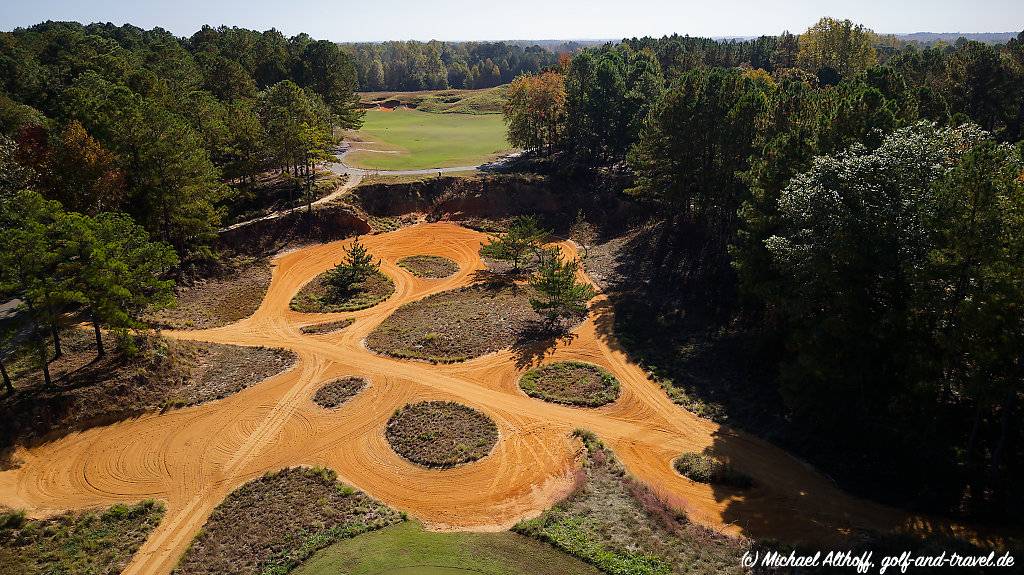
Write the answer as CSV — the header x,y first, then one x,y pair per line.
x,y
459,325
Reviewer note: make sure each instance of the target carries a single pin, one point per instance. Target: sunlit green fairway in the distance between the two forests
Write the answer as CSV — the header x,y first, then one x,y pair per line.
x,y
408,140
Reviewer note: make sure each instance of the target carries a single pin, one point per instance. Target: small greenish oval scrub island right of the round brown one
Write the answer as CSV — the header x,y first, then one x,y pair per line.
x,y
573,383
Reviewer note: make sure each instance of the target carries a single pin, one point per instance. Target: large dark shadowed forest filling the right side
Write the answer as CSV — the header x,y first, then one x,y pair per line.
x,y
859,203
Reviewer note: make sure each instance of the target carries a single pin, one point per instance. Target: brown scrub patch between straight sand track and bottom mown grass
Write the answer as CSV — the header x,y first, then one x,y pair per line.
x,y
272,524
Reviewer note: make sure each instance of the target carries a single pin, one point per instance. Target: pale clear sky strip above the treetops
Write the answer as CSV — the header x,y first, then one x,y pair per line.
x,y
502,20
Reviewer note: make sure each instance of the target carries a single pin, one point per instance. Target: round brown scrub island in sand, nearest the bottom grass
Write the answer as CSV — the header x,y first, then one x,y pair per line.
x,y
441,434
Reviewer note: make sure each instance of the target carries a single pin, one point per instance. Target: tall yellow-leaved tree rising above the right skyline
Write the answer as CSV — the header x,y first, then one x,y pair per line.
x,y
842,47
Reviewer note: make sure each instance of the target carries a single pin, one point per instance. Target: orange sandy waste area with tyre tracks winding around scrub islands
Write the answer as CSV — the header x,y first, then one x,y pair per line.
x,y
192,459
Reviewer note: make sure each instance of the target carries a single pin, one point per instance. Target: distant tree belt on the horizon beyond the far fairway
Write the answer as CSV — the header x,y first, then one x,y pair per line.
x,y
439,66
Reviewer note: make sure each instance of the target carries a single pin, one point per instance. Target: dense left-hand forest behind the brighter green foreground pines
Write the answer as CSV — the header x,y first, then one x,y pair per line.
x,y
169,130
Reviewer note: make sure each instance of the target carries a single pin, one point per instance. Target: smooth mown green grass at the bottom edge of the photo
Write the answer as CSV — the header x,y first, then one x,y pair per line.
x,y
408,550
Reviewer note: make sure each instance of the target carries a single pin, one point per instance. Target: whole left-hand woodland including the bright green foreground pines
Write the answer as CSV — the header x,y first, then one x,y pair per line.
x,y
121,150
